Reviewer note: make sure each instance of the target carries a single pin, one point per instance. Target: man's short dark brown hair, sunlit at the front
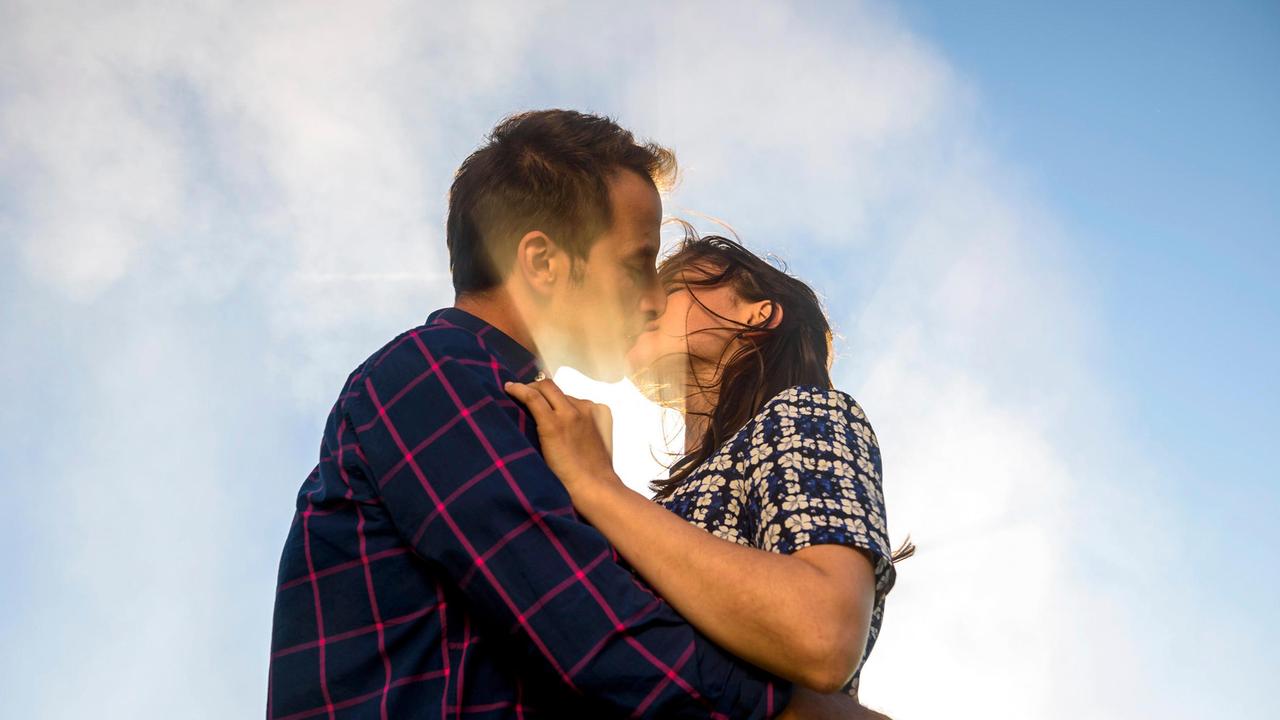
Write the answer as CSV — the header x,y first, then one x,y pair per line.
x,y
542,171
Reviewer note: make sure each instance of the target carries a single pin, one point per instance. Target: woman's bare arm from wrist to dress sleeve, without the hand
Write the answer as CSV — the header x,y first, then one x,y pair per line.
x,y
802,617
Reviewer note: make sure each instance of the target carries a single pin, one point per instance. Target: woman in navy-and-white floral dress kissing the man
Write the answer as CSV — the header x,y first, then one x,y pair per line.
x,y
781,470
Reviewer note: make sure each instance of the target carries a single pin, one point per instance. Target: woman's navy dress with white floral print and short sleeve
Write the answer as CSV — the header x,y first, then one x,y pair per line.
x,y
806,471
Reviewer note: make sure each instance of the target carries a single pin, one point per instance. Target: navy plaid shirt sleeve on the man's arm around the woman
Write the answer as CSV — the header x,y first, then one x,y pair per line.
x,y
469,491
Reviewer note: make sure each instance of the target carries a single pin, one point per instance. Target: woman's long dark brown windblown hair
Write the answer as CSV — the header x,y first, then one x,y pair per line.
x,y
797,352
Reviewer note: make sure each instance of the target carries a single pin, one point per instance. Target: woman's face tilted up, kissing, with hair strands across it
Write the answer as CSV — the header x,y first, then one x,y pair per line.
x,y
692,331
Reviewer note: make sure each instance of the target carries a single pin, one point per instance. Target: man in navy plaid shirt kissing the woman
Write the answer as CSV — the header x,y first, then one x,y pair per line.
x,y
436,567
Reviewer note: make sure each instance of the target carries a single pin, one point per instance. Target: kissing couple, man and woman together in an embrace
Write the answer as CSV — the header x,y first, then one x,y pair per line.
x,y
464,548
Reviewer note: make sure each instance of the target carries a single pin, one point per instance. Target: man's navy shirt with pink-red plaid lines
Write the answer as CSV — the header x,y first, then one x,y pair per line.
x,y
436,567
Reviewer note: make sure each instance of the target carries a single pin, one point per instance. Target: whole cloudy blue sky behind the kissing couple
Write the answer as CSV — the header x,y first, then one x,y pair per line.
x,y
1046,235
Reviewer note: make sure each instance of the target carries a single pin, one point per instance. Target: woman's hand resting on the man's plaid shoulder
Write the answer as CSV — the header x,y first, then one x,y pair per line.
x,y
575,436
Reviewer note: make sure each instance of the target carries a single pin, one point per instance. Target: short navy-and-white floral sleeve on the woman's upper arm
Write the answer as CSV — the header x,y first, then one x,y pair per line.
x,y
815,470
